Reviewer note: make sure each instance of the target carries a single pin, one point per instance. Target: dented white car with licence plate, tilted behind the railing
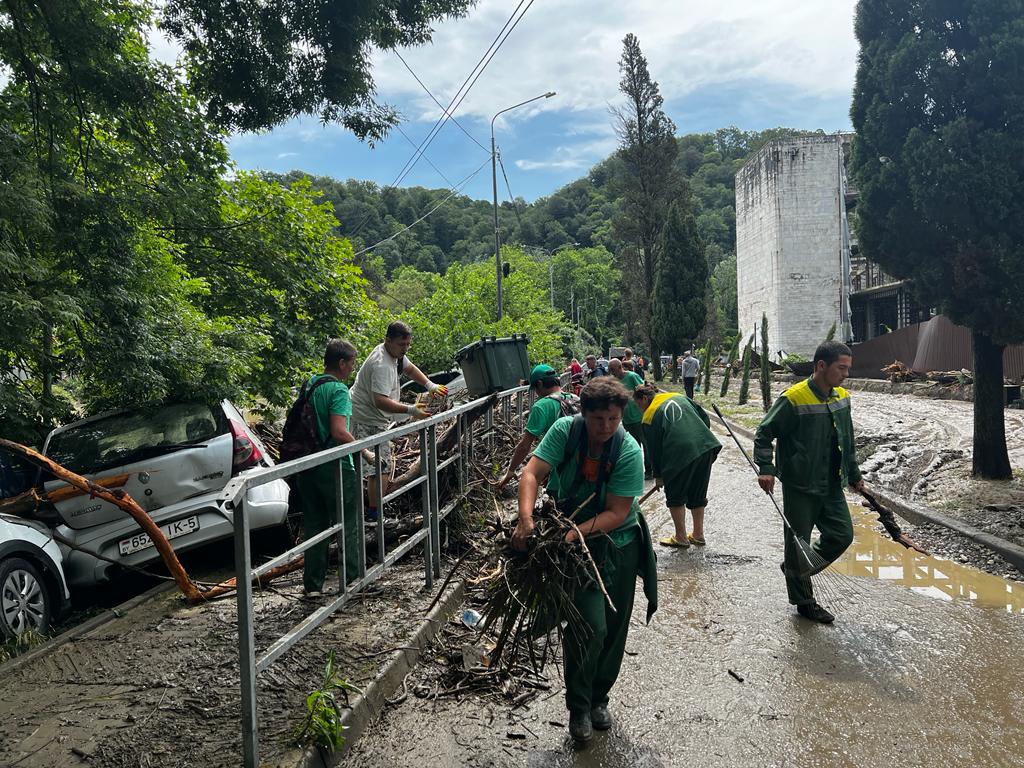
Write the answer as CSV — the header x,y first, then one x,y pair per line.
x,y
175,460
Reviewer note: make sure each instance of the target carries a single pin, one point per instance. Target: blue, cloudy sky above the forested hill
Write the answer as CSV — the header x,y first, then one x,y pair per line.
x,y
753,65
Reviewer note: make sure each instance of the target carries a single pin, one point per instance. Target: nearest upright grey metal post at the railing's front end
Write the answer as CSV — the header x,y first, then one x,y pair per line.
x,y
247,641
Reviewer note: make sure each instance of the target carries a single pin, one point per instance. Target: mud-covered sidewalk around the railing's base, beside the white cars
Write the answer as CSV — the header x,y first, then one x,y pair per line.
x,y
160,688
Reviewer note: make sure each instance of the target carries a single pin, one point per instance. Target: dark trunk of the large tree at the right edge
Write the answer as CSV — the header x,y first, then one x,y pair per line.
x,y
991,458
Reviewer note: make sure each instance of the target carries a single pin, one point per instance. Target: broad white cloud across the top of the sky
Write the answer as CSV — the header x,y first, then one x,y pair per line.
x,y
573,48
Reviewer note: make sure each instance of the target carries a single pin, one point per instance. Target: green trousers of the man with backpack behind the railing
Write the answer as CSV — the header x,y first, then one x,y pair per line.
x,y
318,488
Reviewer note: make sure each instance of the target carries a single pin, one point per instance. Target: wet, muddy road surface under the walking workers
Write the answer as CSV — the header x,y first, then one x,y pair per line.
x,y
922,667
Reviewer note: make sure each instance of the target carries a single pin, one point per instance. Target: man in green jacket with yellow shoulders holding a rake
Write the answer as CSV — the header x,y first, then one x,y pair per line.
x,y
815,458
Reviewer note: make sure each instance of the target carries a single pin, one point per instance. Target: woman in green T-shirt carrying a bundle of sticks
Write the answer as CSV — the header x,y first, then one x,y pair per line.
x,y
591,454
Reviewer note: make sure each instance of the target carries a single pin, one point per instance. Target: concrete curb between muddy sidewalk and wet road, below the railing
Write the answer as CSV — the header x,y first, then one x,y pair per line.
x,y
372,703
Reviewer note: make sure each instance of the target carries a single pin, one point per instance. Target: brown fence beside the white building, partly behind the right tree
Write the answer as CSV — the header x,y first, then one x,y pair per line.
x,y
935,346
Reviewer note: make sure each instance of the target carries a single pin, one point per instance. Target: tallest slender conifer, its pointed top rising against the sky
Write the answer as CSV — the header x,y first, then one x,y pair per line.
x,y
648,182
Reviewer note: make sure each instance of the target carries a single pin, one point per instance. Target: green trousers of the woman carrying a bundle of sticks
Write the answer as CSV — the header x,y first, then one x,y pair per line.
x,y
592,662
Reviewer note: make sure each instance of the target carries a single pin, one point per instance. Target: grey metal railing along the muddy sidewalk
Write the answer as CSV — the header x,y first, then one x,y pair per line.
x,y
234,498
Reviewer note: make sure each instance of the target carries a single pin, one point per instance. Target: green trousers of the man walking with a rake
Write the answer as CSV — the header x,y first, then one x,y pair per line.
x,y
831,516
